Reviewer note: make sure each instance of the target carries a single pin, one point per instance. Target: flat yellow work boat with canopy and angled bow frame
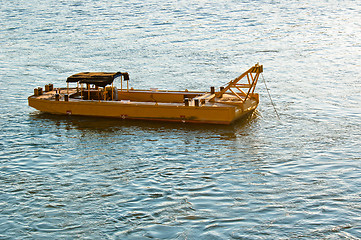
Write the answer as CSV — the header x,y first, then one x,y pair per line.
x,y
96,95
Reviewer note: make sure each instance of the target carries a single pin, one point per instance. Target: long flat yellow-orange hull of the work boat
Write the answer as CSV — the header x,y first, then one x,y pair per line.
x,y
177,112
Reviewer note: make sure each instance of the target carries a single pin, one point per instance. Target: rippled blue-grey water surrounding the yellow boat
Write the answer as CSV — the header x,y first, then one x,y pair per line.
x,y
263,178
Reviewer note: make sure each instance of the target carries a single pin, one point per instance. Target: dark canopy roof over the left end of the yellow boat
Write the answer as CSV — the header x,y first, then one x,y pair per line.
x,y
100,79
